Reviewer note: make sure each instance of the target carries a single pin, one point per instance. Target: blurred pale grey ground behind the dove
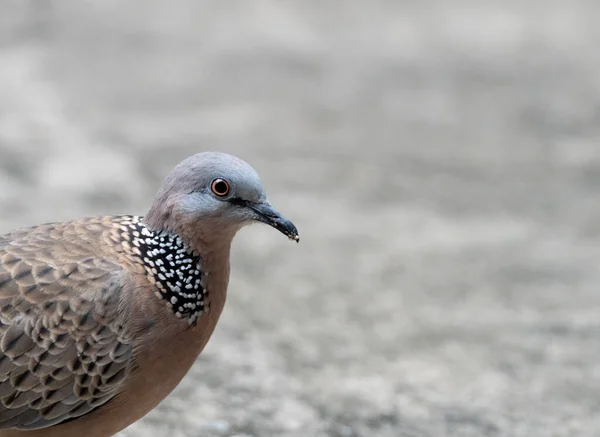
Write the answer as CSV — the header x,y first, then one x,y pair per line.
x,y
440,159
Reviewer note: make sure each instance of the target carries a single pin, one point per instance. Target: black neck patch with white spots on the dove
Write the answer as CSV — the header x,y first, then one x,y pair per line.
x,y
171,266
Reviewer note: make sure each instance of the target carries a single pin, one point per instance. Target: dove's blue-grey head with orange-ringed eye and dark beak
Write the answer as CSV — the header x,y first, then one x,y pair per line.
x,y
210,196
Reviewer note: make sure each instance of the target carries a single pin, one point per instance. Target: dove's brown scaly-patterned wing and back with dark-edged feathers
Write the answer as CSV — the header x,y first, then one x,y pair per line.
x,y
63,351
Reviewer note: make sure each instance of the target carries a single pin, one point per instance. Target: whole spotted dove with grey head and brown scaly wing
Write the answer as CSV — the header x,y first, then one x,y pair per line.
x,y
102,317
